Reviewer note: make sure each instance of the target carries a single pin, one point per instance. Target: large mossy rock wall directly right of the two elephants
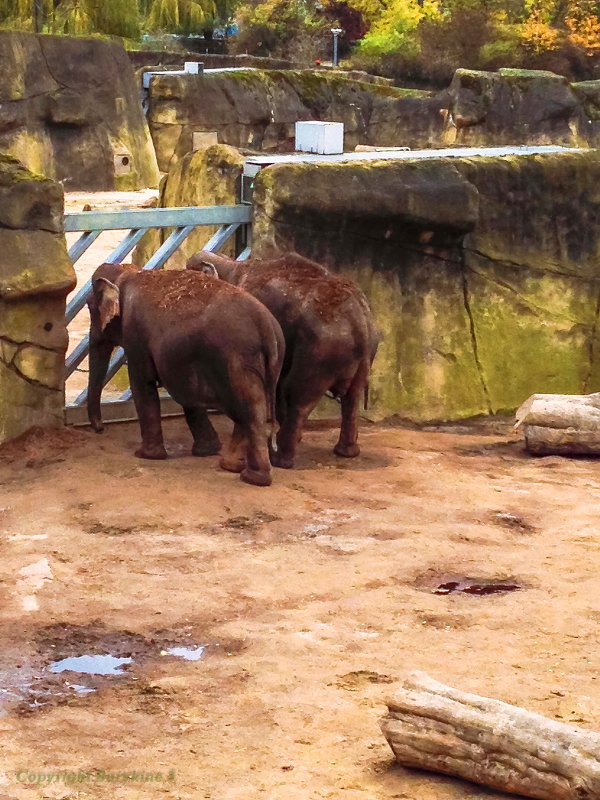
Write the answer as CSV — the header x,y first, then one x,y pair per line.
x,y
483,273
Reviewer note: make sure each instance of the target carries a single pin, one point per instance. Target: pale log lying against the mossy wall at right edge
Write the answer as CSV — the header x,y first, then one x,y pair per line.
x,y
561,424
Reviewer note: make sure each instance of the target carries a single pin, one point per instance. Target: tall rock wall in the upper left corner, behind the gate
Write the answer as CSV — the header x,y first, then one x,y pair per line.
x,y
70,110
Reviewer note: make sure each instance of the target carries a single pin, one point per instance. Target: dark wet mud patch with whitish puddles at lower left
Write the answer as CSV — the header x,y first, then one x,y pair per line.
x,y
71,662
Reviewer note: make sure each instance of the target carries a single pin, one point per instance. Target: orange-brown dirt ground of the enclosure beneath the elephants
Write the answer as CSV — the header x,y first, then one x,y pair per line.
x,y
313,599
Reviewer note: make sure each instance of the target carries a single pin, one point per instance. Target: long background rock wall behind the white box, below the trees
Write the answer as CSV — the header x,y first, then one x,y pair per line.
x,y
257,110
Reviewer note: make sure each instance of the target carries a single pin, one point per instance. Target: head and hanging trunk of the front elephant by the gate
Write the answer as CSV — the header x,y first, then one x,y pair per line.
x,y
105,332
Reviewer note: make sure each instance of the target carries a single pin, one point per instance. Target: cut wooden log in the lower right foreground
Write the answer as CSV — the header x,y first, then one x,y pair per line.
x,y
434,727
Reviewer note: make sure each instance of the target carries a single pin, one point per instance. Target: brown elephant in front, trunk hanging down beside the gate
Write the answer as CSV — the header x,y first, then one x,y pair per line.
x,y
208,343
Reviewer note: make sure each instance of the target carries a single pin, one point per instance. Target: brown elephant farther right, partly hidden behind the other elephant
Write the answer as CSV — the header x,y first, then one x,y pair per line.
x,y
330,337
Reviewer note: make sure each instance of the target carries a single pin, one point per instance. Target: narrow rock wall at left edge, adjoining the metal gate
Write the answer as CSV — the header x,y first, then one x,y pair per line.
x,y
35,277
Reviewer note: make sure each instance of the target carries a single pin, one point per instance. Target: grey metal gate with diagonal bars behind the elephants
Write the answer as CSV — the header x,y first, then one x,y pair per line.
x,y
231,219
